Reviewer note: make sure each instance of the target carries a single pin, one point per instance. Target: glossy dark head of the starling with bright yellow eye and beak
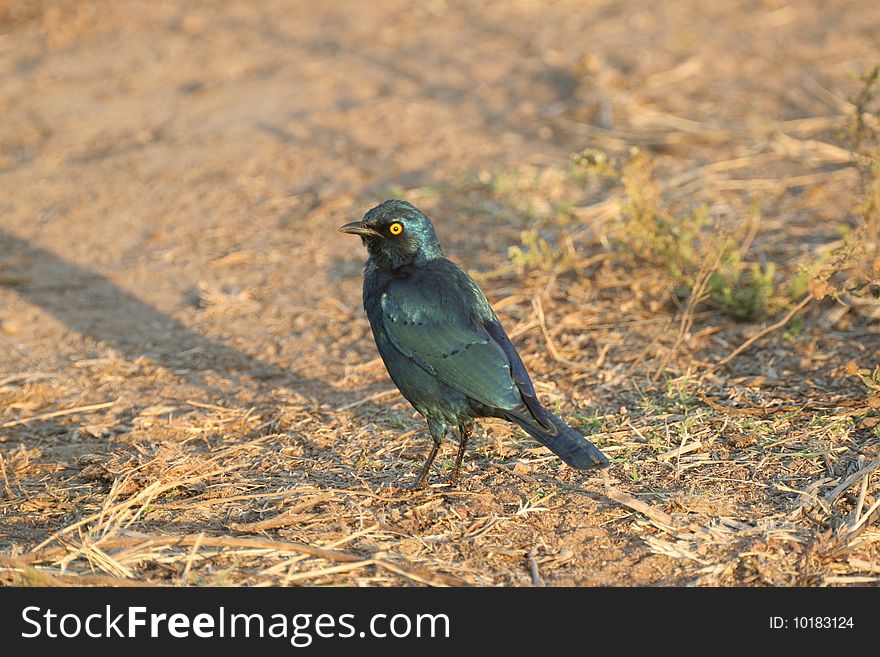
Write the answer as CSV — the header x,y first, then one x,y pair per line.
x,y
396,233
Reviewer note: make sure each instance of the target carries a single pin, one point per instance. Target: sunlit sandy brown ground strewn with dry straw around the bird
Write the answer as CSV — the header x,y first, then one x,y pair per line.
x,y
189,393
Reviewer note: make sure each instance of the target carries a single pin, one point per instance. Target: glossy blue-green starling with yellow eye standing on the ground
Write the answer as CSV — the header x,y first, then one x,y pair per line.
x,y
442,343
